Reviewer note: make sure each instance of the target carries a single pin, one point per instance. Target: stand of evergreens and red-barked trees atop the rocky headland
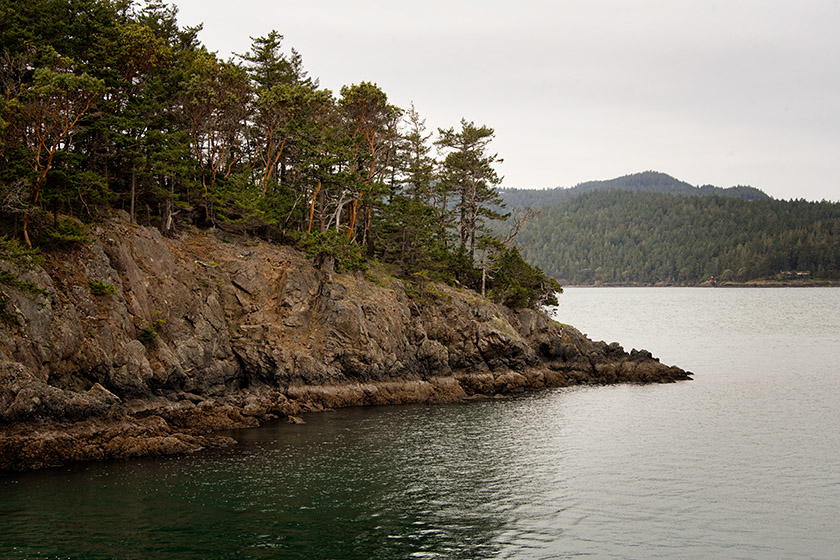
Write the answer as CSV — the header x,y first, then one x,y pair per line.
x,y
110,104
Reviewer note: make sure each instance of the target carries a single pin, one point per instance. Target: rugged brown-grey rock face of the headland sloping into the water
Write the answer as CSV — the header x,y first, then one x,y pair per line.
x,y
205,333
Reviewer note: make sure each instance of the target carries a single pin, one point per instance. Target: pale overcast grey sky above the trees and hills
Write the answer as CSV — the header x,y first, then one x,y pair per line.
x,y
721,92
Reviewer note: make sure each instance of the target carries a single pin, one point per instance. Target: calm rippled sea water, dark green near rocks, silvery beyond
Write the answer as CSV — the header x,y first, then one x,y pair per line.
x,y
742,462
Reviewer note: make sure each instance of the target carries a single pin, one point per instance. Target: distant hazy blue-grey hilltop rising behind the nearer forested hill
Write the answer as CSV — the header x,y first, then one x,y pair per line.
x,y
648,181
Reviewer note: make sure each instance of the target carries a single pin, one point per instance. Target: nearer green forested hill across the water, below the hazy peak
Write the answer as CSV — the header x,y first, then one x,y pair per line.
x,y
617,237
